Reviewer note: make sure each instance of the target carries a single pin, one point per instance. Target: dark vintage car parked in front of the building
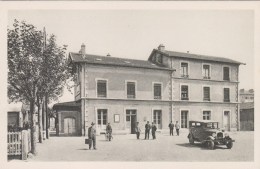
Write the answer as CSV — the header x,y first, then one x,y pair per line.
x,y
208,133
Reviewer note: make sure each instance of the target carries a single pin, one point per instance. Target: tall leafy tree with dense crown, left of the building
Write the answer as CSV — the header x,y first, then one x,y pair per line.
x,y
36,69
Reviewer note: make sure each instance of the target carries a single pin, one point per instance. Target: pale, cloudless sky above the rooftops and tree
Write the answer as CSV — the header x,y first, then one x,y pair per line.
x,y
135,33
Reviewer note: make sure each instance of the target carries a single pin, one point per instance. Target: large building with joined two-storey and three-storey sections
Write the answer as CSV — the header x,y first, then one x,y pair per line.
x,y
169,86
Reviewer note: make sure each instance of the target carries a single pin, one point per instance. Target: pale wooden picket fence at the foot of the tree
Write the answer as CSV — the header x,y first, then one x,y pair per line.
x,y
19,143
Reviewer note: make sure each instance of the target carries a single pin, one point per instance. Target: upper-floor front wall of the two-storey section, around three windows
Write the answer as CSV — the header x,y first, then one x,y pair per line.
x,y
116,81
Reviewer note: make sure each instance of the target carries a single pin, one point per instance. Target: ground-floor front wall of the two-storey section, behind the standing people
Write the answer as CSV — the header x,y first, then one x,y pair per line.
x,y
144,112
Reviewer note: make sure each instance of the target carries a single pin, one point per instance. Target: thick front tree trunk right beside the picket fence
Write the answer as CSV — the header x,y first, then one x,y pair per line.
x,y
33,129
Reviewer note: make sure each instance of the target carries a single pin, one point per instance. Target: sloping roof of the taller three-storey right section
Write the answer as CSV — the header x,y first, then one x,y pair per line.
x,y
197,56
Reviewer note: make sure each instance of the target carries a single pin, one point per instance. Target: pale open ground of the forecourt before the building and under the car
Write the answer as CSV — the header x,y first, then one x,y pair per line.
x,y
128,148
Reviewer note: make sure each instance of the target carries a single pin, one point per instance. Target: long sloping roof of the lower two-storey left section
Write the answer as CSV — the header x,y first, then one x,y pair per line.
x,y
114,61
